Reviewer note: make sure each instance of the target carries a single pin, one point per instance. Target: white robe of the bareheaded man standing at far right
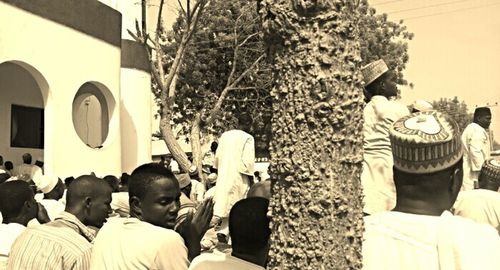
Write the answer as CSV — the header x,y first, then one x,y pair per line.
x,y
476,142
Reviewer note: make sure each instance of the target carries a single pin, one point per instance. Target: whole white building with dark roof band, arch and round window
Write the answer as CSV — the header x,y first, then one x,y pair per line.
x,y
74,88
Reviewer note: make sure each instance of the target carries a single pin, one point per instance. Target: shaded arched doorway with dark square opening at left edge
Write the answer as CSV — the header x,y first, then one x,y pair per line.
x,y
23,97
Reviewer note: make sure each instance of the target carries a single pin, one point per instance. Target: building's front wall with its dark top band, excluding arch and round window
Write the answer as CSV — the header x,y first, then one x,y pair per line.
x,y
67,53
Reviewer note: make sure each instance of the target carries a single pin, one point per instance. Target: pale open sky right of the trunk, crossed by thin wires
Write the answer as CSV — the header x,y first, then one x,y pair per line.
x,y
455,51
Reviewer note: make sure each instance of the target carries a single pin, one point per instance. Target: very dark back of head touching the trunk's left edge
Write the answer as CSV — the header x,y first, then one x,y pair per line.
x,y
249,225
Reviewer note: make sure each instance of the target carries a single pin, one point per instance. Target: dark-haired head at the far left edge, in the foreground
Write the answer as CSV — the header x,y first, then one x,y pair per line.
x,y
13,196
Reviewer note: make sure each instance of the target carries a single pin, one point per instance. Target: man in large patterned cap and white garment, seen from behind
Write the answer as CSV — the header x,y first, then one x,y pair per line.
x,y
420,232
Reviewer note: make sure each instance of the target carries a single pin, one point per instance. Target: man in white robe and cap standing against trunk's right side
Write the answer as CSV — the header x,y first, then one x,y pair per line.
x,y
380,112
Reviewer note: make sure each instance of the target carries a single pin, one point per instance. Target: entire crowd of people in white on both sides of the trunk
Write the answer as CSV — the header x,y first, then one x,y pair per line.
x,y
431,201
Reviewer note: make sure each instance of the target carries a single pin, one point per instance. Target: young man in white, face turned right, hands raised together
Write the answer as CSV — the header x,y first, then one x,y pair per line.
x,y
147,239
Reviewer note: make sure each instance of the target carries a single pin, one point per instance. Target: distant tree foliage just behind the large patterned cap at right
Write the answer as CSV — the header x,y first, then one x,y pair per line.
x,y
456,109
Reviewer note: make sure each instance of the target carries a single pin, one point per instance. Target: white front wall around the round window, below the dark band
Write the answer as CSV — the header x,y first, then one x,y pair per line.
x,y
66,59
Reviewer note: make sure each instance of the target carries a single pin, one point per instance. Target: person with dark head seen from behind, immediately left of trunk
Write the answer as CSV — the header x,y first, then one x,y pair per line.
x,y
249,231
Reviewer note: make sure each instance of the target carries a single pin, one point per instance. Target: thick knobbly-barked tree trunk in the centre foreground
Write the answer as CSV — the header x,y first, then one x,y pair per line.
x,y
316,150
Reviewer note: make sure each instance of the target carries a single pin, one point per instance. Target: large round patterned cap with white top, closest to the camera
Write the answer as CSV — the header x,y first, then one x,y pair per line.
x,y
425,142
